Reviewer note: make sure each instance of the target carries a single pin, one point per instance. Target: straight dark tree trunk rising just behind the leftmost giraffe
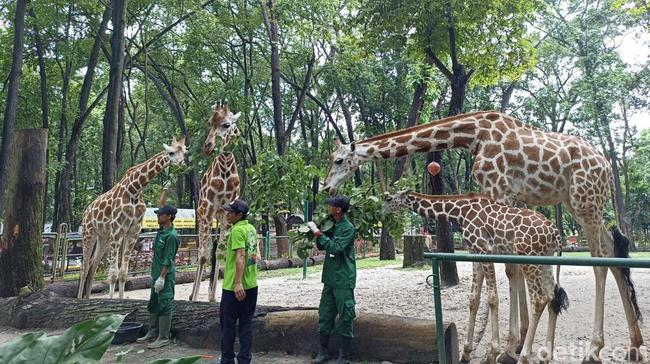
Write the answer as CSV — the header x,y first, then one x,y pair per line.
x,y
109,146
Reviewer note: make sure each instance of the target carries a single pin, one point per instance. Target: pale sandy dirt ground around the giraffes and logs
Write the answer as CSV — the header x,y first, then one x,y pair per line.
x,y
392,290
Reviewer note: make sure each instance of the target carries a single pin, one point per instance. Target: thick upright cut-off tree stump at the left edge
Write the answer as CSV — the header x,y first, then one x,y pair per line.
x,y
21,249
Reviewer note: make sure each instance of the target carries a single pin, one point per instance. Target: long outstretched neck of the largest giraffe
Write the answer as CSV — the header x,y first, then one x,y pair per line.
x,y
456,132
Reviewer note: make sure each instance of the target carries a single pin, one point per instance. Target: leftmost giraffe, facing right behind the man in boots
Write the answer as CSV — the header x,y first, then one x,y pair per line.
x,y
113,220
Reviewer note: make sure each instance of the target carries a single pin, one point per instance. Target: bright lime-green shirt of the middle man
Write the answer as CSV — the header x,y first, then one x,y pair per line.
x,y
242,236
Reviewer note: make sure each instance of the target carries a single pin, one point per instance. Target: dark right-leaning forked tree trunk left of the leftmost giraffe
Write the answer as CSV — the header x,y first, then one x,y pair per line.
x,y
63,211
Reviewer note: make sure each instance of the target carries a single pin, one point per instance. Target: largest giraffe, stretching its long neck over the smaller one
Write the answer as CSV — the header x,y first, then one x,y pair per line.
x,y
517,162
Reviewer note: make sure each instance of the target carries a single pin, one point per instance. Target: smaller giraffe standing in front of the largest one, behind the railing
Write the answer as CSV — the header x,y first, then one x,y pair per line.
x,y
493,228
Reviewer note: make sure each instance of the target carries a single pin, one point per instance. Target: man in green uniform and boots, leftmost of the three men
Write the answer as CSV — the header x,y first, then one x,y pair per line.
x,y
163,275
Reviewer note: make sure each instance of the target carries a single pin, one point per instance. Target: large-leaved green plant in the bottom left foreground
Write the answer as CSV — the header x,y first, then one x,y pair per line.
x,y
84,342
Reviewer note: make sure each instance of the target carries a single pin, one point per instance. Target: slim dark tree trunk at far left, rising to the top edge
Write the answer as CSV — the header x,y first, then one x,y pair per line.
x,y
9,120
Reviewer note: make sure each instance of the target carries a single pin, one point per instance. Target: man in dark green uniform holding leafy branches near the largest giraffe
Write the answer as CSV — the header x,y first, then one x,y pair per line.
x,y
339,279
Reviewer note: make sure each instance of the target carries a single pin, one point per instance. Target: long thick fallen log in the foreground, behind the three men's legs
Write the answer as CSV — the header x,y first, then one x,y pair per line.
x,y
291,330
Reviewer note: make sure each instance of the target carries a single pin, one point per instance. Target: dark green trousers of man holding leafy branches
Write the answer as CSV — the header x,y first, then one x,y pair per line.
x,y
333,302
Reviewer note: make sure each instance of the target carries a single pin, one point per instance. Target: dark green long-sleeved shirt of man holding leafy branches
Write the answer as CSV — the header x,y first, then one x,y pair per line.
x,y
339,268
